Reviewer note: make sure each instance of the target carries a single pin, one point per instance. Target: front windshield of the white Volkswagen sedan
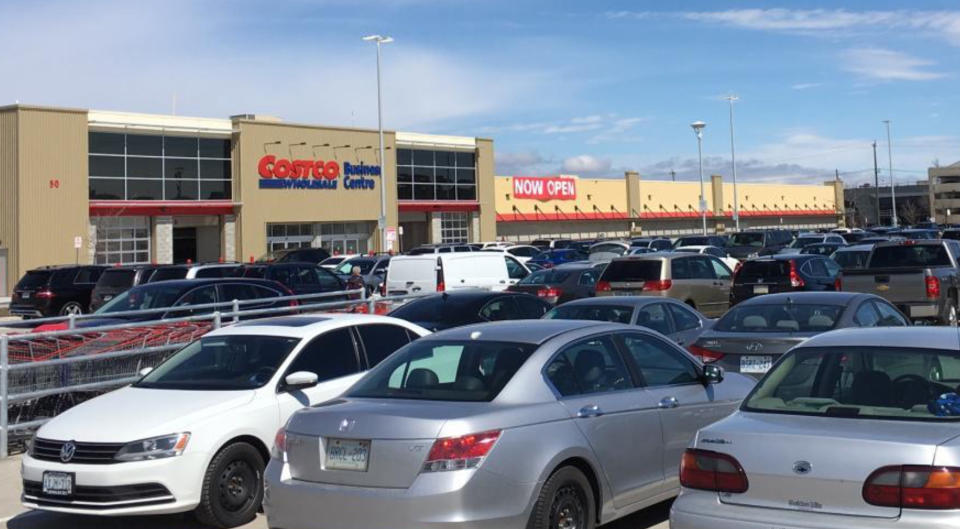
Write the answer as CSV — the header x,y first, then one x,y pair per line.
x,y
222,363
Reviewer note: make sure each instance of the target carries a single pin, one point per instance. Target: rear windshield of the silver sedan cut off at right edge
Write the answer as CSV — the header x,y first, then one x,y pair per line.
x,y
893,383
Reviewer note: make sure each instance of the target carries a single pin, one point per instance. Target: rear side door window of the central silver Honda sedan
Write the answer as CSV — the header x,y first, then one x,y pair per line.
x,y
590,366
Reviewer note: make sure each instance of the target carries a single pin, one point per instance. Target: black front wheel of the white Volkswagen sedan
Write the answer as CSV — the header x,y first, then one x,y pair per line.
x,y
232,487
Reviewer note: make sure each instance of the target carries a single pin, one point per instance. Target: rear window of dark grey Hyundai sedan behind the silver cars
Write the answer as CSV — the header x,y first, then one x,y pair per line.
x,y
780,318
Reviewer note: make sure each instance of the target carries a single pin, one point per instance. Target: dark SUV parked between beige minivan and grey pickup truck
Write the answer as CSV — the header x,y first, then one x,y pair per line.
x,y
783,273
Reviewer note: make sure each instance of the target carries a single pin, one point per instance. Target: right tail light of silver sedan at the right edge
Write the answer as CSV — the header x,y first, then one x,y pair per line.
x,y
914,487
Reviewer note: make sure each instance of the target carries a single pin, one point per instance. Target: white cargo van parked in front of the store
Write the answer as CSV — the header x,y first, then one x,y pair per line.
x,y
411,274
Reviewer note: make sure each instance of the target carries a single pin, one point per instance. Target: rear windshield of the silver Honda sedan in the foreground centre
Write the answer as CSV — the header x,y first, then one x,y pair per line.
x,y
473,371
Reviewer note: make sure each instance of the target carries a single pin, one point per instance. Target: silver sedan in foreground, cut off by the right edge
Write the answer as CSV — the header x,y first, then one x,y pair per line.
x,y
854,429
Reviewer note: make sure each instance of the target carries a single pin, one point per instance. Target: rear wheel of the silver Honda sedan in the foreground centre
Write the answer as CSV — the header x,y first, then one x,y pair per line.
x,y
565,502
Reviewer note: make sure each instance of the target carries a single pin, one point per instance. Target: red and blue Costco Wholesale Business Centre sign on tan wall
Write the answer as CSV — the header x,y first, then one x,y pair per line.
x,y
281,173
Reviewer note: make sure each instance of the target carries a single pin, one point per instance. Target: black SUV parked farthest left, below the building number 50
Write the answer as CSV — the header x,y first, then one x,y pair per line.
x,y
54,291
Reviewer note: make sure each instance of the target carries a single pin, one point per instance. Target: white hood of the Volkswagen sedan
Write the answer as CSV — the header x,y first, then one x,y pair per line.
x,y
130,413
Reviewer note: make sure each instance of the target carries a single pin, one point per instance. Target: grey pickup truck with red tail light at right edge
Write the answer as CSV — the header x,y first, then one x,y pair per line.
x,y
919,277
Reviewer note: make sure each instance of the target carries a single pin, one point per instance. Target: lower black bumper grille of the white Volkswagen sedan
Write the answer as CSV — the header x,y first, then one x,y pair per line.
x,y
98,497
